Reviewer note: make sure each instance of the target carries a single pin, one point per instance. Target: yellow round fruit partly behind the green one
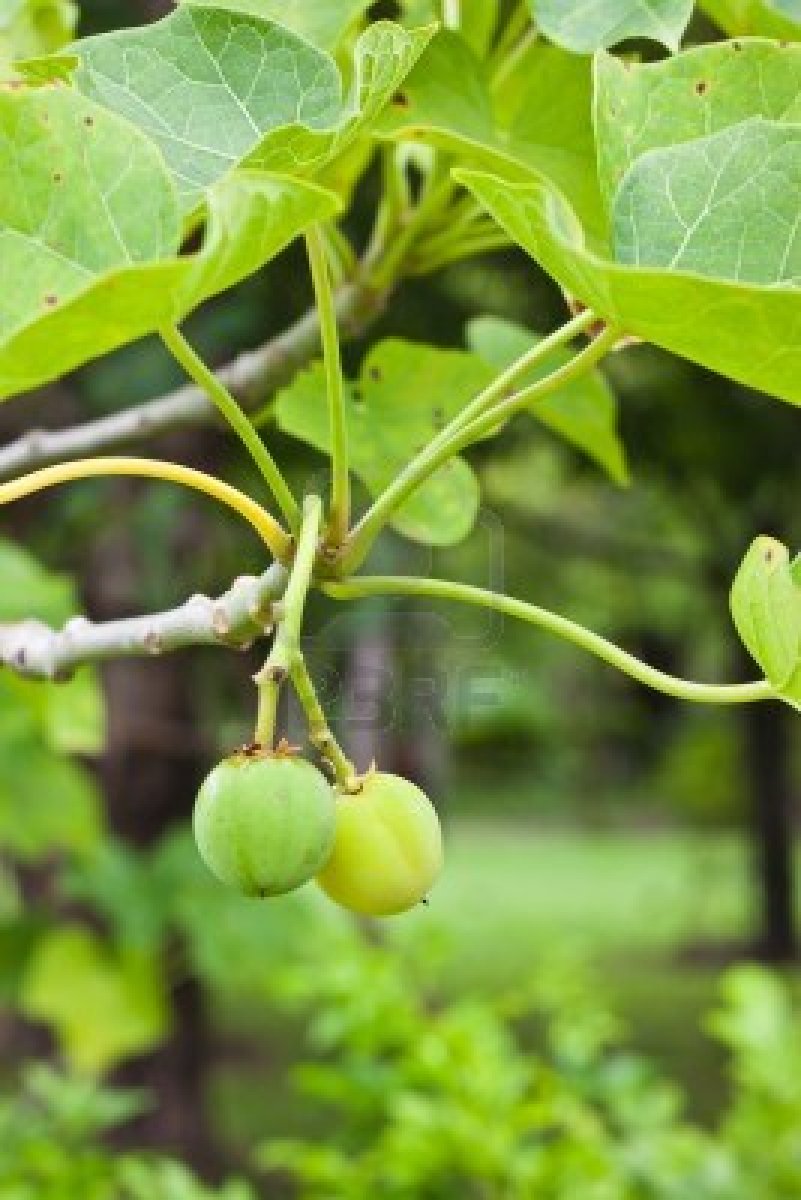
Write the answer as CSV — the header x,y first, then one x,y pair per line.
x,y
388,850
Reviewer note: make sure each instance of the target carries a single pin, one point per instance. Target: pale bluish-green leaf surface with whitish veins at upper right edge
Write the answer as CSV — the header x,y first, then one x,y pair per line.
x,y
726,206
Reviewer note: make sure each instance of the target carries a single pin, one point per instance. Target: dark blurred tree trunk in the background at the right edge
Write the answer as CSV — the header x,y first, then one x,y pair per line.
x,y
767,752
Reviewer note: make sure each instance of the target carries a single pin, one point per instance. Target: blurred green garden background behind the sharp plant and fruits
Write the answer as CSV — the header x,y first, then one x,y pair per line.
x,y
615,860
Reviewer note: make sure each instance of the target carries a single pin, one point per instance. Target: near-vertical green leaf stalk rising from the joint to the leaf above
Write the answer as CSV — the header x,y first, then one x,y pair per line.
x,y
340,514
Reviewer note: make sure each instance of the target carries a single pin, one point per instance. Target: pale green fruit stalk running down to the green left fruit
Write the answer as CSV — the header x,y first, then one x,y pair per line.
x,y
286,647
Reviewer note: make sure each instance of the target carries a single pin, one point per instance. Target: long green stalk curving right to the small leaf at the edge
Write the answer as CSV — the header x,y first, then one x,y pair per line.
x,y
445,590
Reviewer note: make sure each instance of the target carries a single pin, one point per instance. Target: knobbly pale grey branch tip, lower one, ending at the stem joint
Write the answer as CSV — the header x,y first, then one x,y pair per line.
x,y
236,620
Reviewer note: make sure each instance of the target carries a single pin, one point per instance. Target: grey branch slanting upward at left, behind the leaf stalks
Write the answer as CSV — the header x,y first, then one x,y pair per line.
x,y
251,379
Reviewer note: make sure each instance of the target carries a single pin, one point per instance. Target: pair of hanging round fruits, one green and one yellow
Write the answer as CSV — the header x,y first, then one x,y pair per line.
x,y
267,821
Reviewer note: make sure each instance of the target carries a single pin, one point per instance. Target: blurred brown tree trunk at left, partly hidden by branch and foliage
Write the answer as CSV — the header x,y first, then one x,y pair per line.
x,y
150,775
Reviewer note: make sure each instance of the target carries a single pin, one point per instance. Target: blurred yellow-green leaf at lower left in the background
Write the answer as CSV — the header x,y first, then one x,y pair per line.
x,y
104,1007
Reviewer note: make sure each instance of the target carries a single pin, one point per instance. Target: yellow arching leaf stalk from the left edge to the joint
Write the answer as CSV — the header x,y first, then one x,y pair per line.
x,y
266,525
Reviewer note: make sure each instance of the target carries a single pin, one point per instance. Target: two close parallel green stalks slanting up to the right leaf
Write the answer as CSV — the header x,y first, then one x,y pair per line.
x,y
481,417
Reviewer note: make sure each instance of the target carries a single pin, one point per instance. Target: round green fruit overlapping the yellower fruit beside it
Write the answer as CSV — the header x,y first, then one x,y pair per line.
x,y
264,824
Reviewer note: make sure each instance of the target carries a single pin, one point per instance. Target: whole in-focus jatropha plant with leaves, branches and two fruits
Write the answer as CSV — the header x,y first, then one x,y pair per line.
x,y
146,171
